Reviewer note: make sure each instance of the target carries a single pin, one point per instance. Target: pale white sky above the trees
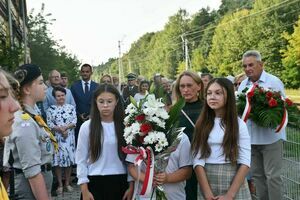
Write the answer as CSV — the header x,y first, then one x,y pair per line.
x,y
91,29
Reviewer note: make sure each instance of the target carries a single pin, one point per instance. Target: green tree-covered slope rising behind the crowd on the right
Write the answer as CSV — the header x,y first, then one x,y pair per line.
x,y
218,39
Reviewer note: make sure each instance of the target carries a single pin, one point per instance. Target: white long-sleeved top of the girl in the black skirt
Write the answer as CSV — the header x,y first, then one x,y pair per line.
x,y
108,163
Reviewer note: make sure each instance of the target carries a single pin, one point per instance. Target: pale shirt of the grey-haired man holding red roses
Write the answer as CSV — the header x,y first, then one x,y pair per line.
x,y
261,135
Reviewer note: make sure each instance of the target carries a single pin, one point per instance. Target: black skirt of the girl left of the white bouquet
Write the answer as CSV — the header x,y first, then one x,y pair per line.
x,y
109,187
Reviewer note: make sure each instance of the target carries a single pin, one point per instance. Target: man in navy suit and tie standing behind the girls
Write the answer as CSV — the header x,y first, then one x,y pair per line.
x,y
82,91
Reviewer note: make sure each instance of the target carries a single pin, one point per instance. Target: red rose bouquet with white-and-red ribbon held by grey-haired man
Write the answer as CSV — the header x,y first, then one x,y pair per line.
x,y
267,108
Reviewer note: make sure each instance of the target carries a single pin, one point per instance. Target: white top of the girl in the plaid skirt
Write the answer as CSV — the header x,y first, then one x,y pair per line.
x,y
215,140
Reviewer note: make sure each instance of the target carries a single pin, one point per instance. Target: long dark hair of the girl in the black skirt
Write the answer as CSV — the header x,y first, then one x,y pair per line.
x,y
96,129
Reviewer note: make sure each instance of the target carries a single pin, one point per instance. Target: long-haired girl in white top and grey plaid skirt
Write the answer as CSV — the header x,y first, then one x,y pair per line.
x,y
221,145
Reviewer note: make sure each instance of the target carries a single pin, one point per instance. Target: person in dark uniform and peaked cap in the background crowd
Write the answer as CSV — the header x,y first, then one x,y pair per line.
x,y
131,89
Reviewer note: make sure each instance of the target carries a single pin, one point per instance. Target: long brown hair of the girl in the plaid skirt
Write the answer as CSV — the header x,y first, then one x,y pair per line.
x,y
229,123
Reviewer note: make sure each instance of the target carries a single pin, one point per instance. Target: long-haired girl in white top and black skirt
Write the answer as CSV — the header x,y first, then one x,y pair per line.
x,y
101,169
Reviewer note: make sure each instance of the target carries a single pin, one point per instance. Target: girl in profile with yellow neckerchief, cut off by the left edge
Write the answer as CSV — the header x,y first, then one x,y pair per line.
x,y
8,106
